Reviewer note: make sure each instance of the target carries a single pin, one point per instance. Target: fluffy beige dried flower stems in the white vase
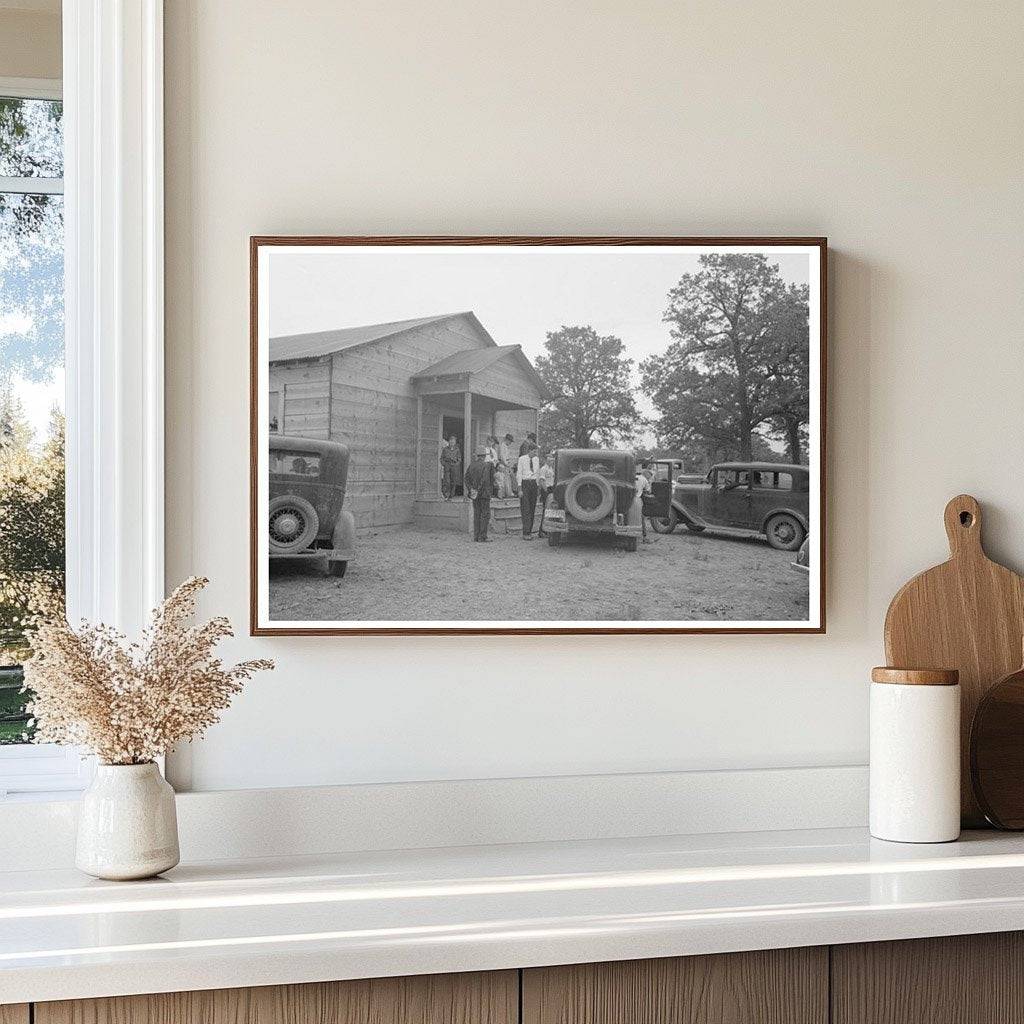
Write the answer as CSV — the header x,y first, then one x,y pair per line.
x,y
131,703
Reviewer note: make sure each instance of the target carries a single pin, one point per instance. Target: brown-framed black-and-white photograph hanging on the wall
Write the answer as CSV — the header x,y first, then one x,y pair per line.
x,y
531,436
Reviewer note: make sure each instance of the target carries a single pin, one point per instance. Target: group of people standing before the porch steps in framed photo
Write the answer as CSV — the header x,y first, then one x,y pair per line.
x,y
492,475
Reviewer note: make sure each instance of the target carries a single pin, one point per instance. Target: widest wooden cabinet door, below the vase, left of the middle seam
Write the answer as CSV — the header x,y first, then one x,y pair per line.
x,y
454,999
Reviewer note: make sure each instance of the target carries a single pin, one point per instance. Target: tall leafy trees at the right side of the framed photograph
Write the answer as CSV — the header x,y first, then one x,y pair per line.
x,y
739,360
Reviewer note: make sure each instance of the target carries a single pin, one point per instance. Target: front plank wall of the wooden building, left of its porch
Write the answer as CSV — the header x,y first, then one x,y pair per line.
x,y
373,410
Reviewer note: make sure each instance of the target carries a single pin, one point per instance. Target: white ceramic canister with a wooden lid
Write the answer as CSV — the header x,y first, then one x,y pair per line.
x,y
916,755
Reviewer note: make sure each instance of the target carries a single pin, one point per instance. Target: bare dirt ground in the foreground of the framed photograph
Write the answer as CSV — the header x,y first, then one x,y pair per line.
x,y
423,574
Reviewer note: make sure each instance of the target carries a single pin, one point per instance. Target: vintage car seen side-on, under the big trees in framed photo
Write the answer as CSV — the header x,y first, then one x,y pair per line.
x,y
770,498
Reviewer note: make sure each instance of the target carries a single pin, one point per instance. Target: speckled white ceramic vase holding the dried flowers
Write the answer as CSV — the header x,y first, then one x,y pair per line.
x,y
127,826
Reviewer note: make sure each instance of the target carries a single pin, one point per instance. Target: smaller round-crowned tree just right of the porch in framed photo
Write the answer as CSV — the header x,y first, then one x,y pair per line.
x,y
589,377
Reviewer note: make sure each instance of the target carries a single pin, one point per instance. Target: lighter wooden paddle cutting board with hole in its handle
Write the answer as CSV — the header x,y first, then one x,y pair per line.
x,y
967,614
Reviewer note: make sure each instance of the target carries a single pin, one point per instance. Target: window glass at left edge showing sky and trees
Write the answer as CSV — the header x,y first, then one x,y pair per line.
x,y
32,450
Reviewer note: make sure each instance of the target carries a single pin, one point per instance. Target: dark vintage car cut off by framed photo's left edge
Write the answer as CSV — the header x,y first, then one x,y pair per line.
x,y
308,491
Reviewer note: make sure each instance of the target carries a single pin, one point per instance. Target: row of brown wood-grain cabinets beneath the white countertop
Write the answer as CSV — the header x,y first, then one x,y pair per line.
x,y
973,979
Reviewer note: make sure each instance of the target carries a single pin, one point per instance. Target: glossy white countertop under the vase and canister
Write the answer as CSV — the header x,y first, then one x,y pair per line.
x,y
226,924
